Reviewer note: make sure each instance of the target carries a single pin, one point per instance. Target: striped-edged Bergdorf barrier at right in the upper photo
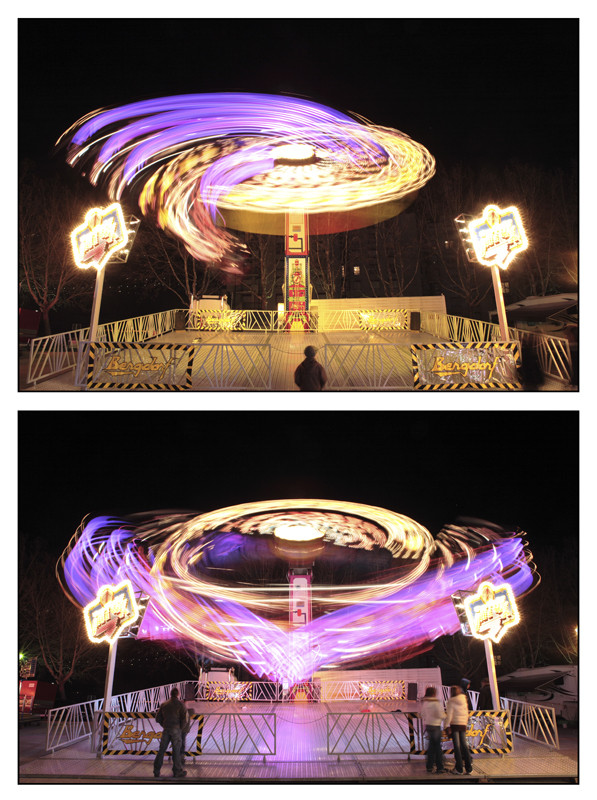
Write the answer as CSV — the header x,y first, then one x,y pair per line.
x,y
449,366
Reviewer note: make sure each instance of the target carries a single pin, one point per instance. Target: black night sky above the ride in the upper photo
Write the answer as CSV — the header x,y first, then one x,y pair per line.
x,y
478,90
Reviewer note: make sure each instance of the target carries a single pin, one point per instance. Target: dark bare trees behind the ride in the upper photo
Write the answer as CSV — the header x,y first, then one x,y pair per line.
x,y
416,253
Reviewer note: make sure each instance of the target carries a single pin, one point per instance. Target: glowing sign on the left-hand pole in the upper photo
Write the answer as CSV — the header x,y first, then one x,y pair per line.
x,y
101,235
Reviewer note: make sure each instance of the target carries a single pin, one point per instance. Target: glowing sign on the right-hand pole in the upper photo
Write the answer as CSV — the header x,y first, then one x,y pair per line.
x,y
497,236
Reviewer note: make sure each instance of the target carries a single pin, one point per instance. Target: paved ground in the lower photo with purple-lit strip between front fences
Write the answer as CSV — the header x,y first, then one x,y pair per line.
x,y
299,729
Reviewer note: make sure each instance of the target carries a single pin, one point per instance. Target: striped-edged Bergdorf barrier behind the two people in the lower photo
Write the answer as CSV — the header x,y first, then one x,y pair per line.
x,y
487,732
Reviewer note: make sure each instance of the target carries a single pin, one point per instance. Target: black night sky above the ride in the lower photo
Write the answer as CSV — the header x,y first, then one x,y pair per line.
x,y
431,466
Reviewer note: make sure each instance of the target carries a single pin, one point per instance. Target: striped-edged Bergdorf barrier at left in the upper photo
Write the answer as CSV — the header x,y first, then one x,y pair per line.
x,y
116,360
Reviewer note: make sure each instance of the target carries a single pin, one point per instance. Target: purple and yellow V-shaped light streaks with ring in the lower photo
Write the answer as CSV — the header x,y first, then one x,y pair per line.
x,y
402,609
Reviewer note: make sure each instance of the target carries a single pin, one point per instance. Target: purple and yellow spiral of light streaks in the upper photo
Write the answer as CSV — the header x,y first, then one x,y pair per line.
x,y
188,157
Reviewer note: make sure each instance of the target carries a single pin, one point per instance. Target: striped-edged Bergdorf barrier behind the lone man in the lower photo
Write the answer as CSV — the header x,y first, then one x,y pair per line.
x,y
137,736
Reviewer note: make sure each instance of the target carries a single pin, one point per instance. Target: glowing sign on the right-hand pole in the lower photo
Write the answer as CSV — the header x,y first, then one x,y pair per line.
x,y
491,611
